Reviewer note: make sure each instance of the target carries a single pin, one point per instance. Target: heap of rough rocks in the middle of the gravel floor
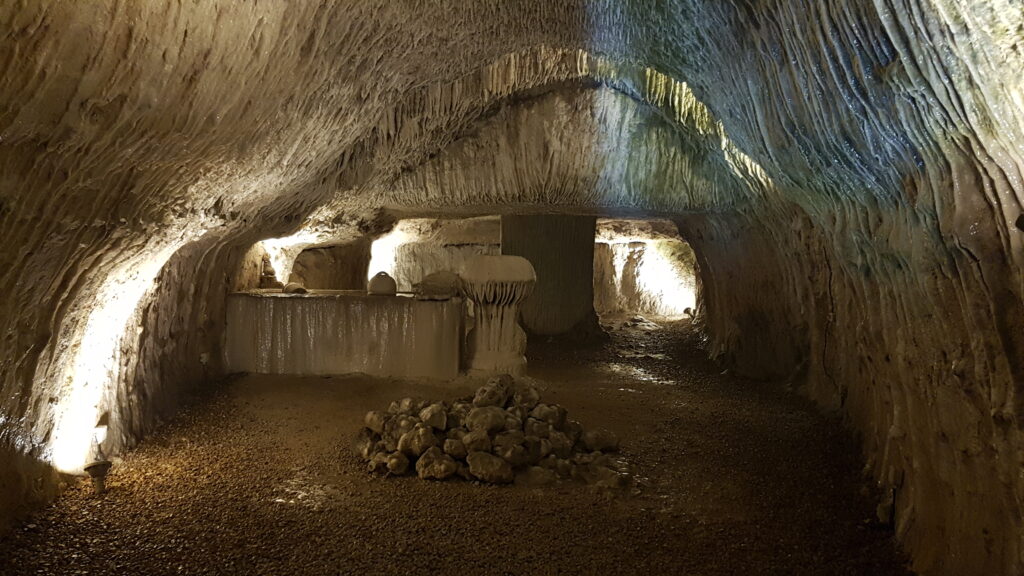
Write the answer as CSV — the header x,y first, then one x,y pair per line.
x,y
503,434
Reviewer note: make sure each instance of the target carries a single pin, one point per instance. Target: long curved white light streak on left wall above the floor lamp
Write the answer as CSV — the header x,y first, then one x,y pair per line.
x,y
99,356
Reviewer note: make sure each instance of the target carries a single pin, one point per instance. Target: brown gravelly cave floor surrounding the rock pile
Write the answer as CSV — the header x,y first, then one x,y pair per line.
x,y
736,478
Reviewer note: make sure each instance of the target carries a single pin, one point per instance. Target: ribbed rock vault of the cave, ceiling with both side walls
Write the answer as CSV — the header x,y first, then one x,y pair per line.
x,y
848,174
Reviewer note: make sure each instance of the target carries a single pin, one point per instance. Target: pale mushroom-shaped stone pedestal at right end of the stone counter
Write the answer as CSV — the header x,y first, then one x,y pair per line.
x,y
497,285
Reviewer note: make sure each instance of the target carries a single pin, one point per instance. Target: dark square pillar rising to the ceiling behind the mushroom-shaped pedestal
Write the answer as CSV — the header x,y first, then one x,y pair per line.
x,y
562,250
